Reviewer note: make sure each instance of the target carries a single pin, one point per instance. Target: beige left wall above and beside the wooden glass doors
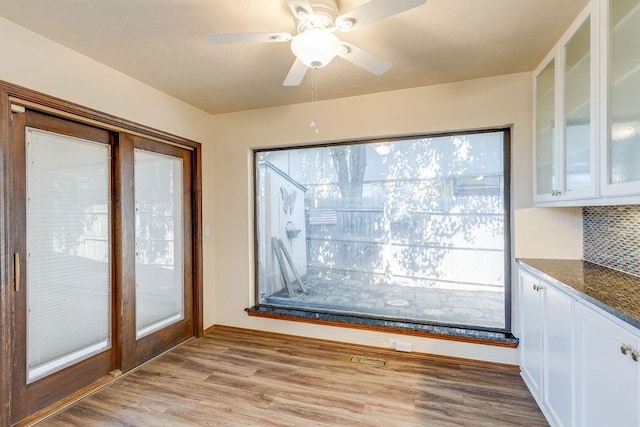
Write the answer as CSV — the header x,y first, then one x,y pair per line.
x,y
37,63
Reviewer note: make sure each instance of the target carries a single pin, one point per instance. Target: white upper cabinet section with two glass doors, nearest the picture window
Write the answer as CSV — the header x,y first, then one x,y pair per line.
x,y
565,139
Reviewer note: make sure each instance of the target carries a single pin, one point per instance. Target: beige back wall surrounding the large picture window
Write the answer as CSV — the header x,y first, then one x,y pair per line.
x,y
491,102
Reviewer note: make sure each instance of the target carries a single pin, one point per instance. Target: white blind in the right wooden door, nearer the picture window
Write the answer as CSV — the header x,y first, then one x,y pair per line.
x,y
159,241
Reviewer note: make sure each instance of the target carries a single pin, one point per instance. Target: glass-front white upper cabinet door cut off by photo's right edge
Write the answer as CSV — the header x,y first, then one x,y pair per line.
x,y
623,98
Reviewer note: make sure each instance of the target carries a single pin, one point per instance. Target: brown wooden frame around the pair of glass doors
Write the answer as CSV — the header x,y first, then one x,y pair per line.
x,y
13,94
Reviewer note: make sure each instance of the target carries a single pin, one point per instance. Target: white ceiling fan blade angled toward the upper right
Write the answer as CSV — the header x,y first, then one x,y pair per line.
x,y
373,11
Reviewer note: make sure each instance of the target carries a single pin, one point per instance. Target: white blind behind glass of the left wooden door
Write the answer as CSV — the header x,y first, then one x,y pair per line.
x,y
68,245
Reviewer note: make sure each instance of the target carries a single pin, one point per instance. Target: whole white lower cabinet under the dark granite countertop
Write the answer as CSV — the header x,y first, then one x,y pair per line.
x,y
581,364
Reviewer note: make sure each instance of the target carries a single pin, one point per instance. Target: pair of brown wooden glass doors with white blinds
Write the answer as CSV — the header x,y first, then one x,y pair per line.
x,y
102,240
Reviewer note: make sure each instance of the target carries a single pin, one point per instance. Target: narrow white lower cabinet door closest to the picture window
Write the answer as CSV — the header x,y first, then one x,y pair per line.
x,y
531,339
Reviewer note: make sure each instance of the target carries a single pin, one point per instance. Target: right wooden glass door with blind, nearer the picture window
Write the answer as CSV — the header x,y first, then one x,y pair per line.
x,y
163,292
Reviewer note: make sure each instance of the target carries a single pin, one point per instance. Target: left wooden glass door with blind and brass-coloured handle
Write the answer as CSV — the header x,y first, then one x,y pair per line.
x,y
61,238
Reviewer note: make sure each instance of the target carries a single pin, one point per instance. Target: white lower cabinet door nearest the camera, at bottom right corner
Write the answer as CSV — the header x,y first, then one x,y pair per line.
x,y
606,379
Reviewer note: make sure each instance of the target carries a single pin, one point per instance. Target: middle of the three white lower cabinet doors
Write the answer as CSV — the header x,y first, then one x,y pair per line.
x,y
558,356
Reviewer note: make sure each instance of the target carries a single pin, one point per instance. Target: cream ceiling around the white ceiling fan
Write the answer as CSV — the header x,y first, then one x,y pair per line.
x,y
163,43
